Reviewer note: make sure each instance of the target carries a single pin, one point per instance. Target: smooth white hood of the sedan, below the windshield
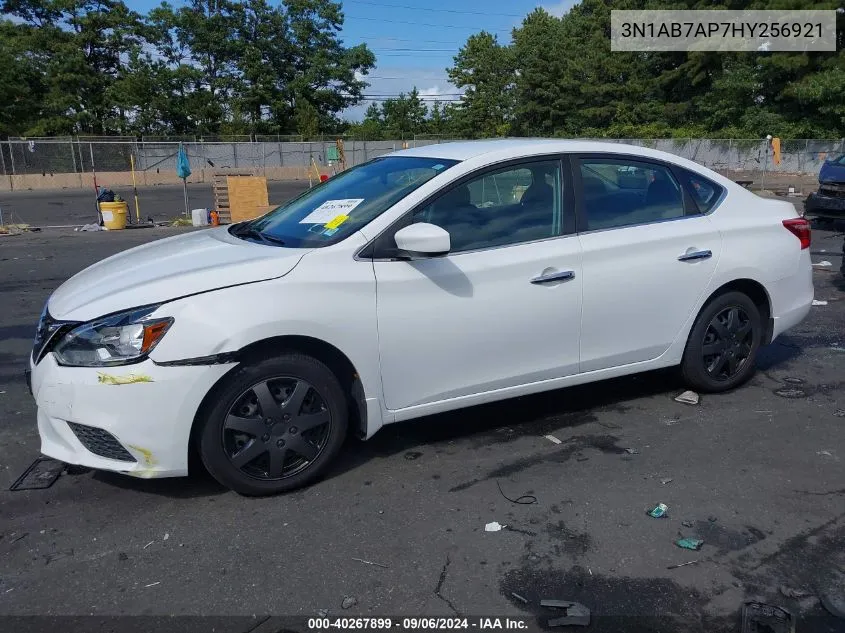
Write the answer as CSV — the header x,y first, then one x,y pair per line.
x,y
167,269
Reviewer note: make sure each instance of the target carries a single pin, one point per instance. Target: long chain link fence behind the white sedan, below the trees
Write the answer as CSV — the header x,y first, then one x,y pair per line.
x,y
82,155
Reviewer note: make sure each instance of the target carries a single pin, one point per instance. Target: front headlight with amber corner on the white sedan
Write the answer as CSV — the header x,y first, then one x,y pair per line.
x,y
119,339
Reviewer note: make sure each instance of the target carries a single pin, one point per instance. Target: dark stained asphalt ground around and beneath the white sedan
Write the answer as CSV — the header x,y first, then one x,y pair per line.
x,y
758,473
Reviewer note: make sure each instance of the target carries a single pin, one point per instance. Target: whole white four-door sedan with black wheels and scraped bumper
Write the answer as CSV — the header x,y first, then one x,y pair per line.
x,y
423,281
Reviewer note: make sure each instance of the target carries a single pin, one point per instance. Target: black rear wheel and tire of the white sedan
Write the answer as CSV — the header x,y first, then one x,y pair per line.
x,y
734,349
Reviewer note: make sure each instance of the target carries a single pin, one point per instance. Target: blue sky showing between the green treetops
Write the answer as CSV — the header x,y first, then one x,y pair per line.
x,y
414,41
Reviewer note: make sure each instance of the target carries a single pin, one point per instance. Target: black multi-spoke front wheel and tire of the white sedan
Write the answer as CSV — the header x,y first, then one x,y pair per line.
x,y
276,425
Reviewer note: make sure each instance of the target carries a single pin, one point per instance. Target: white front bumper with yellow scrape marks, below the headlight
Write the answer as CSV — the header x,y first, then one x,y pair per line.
x,y
105,418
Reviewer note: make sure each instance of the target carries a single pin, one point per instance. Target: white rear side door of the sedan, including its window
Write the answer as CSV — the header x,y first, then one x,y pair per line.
x,y
648,256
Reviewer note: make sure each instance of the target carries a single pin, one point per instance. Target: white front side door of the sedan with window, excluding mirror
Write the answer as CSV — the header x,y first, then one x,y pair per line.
x,y
503,308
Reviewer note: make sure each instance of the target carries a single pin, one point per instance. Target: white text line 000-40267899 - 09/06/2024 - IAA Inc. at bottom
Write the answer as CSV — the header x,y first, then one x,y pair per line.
x,y
417,624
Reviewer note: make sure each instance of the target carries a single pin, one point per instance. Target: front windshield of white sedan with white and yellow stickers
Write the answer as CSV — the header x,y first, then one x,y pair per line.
x,y
343,204
